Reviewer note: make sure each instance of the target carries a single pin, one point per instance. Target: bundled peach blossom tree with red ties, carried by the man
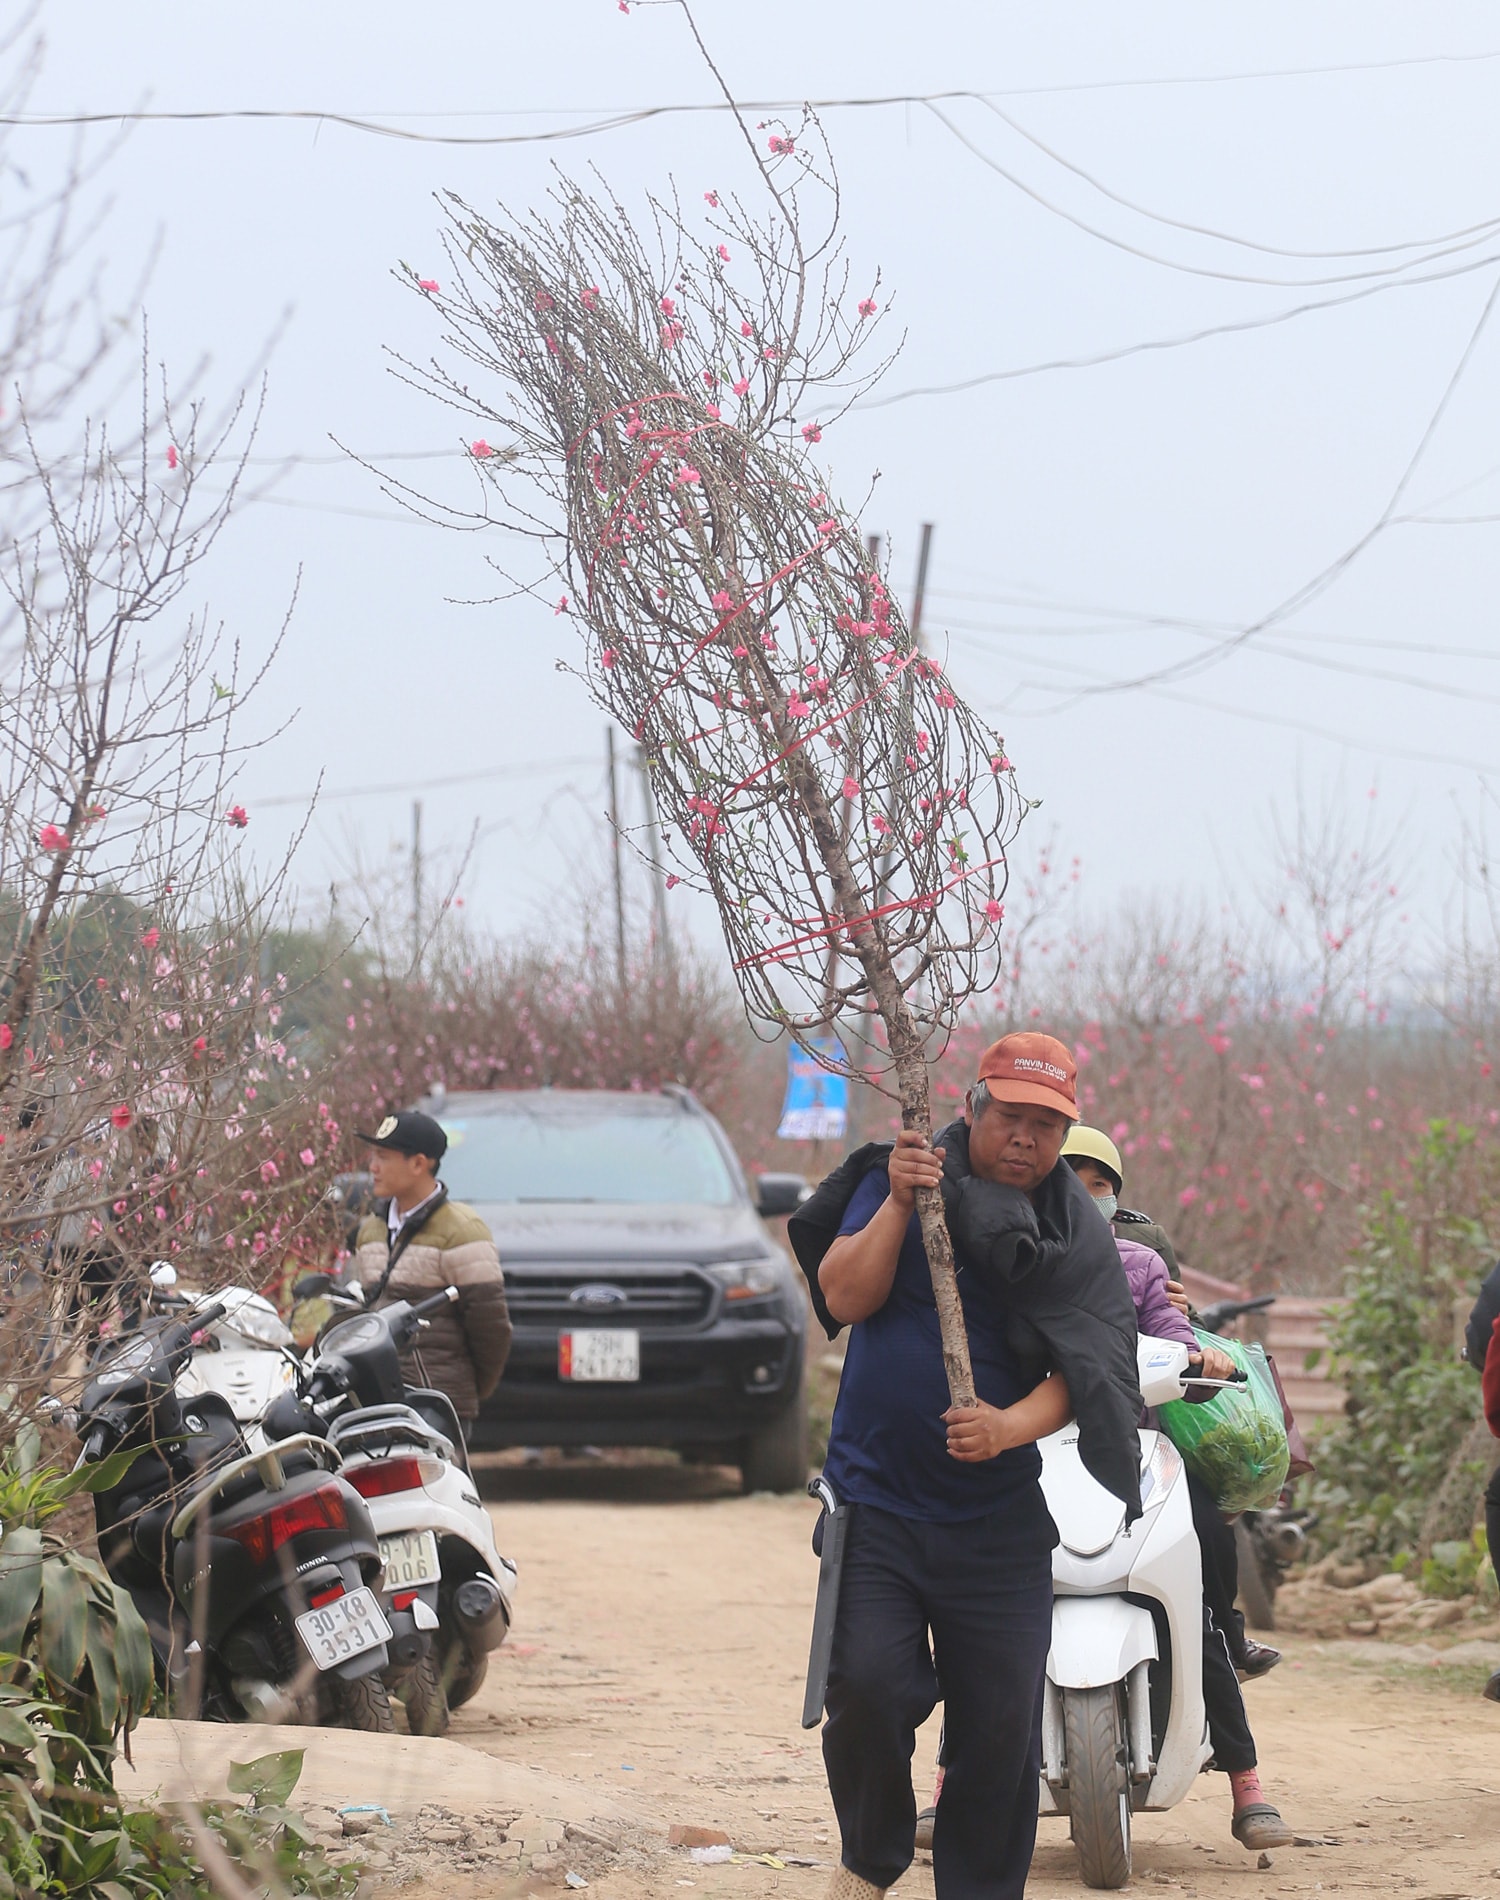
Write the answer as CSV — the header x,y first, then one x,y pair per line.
x,y
657,392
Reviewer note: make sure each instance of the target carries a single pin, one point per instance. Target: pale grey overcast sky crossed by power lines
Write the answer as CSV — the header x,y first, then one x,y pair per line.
x,y
1094,525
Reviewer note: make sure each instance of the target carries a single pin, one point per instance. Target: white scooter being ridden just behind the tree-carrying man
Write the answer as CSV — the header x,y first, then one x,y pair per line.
x,y
1123,1717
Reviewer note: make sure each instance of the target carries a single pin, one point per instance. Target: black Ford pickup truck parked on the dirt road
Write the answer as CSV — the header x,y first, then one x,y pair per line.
x,y
651,1304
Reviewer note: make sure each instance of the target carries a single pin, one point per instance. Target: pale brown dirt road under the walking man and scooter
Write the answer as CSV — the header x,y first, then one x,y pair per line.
x,y
659,1656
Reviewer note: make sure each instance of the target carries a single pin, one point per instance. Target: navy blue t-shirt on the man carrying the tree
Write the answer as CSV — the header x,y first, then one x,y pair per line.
x,y
889,1443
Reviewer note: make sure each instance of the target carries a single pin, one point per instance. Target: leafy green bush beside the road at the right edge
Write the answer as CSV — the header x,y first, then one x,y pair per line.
x,y
1412,1401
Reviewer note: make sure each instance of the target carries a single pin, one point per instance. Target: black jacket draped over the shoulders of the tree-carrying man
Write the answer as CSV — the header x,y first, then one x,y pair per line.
x,y
1062,1278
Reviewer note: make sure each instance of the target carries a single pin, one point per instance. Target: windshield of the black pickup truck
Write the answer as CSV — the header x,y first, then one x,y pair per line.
x,y
606,1156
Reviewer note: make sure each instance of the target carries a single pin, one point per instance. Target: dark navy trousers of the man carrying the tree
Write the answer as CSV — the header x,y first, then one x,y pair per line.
x,y
969,1603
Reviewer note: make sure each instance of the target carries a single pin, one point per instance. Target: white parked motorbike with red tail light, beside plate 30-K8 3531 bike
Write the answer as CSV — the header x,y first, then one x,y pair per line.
x,y
448,1591
